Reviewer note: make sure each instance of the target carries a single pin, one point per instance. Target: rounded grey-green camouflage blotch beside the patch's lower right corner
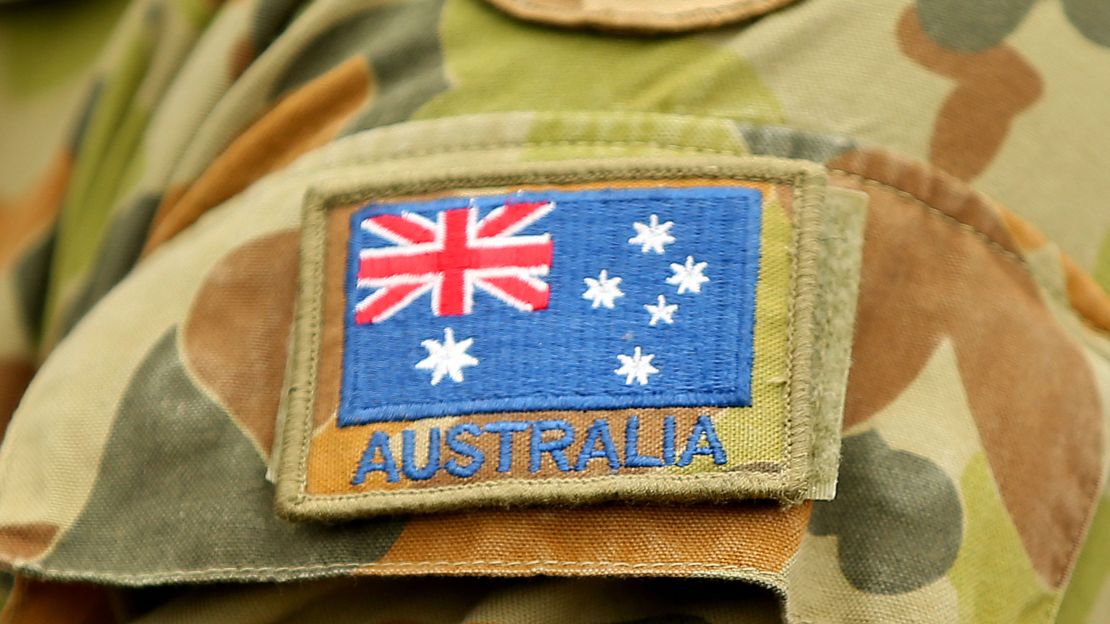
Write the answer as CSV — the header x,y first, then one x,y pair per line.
x,y
897,517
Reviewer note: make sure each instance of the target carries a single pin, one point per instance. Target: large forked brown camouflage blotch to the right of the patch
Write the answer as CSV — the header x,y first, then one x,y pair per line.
x,y
945,271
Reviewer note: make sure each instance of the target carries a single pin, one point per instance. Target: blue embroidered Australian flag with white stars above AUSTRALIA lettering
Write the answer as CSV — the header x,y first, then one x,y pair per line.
x,y
554,300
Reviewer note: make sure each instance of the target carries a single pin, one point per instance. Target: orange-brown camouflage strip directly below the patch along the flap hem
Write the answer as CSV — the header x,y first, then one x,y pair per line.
x,y
761,537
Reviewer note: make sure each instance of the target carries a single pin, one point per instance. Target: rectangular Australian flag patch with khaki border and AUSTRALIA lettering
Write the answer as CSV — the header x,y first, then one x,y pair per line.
x,y
504,340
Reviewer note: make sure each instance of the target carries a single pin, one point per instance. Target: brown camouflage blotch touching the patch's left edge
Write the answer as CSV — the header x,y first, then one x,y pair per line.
x,y
236,335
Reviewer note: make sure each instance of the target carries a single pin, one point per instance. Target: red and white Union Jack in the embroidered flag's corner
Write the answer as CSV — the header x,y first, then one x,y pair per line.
x,y
451,257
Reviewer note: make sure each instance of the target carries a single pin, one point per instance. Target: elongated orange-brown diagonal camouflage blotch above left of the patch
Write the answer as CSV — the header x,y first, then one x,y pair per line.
x,y
304,120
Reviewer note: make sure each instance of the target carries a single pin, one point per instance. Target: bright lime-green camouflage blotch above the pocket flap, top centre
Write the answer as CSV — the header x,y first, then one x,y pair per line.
x,y
498,64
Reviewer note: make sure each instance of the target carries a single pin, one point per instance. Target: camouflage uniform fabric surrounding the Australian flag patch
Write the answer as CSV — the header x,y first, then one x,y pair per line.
x,y
148,280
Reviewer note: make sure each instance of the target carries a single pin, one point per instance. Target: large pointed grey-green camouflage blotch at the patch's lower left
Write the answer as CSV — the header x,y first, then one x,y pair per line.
x,y
180,488
